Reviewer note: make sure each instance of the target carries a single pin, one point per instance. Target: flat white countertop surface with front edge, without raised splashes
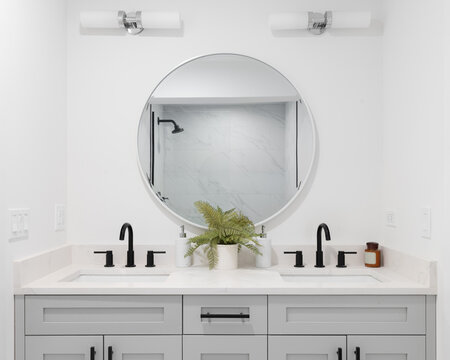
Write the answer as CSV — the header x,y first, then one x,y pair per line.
x,y
200,280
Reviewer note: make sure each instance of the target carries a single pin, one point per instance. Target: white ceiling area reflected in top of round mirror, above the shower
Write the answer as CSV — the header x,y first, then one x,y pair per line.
x,y
224,79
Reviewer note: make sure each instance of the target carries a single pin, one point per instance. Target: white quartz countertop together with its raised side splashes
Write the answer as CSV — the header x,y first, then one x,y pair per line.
x,y
53,275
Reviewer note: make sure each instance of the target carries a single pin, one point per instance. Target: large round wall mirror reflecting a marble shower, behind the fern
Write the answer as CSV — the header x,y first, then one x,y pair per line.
x,y
230,130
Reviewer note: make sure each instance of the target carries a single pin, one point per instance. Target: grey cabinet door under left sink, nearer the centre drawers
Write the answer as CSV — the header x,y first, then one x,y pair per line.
x,y
144,347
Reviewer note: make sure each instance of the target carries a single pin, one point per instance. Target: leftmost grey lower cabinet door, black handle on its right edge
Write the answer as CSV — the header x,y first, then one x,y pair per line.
x,y
64,347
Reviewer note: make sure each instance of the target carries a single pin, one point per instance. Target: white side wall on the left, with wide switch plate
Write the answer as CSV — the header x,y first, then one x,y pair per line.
x,y
33,134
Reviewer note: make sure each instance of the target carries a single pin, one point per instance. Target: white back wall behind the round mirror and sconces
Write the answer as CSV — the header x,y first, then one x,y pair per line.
x,y
110,78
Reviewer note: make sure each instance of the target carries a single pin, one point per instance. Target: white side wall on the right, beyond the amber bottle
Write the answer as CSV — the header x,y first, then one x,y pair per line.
x,y
415,137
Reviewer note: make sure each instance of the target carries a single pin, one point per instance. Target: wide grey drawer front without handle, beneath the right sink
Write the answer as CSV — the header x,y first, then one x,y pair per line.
x,y
347,315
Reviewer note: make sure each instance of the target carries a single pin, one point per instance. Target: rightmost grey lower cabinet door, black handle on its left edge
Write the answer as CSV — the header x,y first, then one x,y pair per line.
x,y
387,347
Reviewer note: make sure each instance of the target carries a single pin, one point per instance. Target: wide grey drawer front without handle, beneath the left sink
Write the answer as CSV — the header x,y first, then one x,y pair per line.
x,y
67,315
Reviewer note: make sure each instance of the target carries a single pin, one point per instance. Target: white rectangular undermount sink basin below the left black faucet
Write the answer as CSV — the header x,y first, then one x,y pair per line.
x,y
111,278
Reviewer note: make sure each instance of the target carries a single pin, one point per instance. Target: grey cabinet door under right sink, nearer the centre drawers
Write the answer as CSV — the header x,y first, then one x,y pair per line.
x,y
307,347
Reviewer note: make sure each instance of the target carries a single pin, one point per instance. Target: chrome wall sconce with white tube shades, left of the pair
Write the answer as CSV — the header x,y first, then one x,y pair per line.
x,y
133,22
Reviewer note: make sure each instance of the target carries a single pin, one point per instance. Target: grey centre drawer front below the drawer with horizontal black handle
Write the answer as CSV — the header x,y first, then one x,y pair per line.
x,y
214,347
